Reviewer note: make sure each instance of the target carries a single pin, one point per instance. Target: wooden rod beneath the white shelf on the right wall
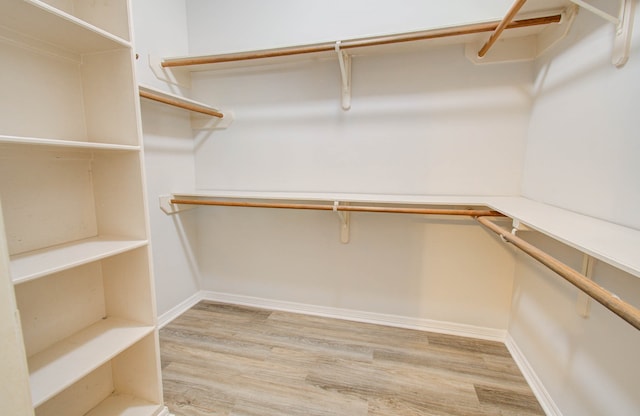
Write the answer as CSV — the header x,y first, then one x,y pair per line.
x,y
621,308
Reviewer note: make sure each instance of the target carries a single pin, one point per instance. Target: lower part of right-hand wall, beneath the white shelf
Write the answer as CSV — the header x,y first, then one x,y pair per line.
x,y
588,366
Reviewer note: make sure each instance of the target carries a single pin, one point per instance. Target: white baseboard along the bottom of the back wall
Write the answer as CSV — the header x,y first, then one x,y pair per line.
x,y
420,324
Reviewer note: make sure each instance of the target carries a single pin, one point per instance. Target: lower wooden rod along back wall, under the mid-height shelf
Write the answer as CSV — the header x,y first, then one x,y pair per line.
x,y
350,208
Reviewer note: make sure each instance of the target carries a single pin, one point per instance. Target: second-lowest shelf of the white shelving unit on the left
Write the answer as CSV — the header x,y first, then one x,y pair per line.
x,y
58,367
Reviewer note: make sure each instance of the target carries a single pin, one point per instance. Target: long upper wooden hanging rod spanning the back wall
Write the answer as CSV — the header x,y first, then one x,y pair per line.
x,y
358,43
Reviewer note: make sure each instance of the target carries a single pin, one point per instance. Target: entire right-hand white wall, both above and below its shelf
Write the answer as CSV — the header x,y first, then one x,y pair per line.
x,y
582,155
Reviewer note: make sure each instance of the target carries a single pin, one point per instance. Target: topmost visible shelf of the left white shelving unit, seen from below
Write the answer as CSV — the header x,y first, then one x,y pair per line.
x,y
45,23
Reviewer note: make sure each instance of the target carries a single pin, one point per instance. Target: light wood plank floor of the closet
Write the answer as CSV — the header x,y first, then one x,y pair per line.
x,y
221,359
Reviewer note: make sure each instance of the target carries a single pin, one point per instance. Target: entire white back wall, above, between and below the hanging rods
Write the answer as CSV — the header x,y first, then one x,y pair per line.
x,y
421,122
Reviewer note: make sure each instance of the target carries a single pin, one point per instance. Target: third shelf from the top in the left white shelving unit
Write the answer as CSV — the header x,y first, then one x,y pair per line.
x,y
35,264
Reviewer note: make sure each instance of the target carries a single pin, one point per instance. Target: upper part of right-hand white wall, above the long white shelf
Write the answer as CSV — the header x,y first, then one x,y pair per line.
x,y
582,146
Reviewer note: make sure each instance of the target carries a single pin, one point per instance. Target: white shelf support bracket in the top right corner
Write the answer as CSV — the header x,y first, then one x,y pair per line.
x,y
623,23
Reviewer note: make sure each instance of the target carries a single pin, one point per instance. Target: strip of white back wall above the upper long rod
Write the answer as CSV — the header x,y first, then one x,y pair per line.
x,y
219,26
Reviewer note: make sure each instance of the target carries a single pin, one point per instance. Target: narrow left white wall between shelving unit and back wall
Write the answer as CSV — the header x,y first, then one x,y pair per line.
x,y
160,29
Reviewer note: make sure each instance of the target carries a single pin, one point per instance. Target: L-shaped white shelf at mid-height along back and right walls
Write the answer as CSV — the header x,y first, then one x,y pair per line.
x,y
612,243
